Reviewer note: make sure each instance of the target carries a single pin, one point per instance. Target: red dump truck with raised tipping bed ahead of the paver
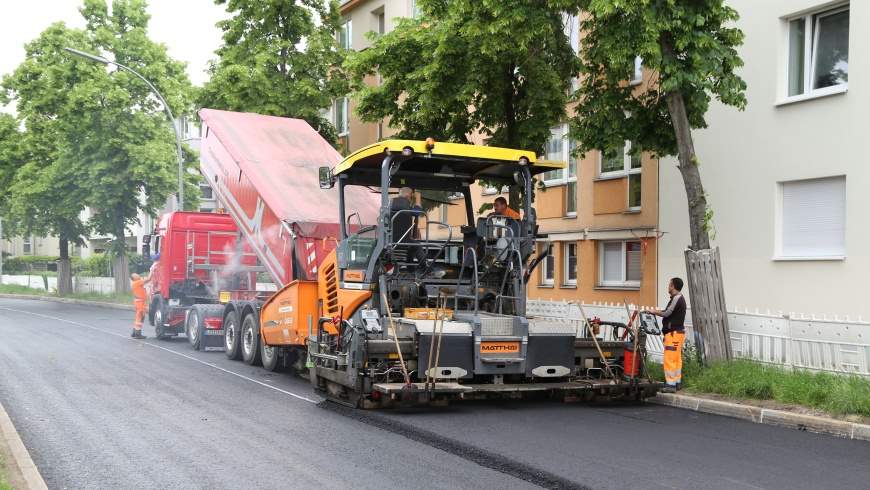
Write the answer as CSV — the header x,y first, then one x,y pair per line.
x,y
264,172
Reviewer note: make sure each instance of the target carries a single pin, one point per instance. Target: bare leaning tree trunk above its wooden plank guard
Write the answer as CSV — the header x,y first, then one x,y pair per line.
x,y
689,170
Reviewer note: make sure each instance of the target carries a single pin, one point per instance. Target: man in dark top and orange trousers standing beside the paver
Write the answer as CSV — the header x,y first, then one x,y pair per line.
x,y
673,333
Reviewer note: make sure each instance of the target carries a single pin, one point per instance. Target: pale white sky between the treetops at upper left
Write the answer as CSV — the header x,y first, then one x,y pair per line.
x,y
186,27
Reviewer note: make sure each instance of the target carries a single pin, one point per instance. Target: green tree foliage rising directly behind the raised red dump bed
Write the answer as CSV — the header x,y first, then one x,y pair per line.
x,y
278,58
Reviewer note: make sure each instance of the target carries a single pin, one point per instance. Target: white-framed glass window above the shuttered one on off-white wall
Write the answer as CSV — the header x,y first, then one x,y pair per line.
x,y
818,52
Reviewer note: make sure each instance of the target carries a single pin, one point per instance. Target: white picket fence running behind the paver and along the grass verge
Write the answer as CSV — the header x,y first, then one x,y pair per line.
x,y
792,341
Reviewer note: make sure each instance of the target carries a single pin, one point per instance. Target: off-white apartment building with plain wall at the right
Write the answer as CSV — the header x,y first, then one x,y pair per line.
x,y
787,178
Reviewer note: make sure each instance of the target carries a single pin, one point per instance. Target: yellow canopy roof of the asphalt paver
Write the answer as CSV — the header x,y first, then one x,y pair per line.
x,y
478,162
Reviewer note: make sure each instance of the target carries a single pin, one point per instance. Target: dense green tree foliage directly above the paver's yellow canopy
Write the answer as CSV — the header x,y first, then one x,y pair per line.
x,y
500,70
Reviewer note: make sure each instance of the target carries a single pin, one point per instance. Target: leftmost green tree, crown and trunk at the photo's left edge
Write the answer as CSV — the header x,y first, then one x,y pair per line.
x,y
41,195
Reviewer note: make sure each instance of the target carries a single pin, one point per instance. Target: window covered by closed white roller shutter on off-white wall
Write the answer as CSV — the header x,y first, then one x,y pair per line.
x,y
813,219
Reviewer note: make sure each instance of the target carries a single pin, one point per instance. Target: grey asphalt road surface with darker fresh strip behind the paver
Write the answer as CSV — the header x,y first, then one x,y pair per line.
x,y
97,409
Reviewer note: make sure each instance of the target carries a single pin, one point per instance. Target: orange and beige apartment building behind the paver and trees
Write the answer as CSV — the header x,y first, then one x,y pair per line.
x,y
600,214
